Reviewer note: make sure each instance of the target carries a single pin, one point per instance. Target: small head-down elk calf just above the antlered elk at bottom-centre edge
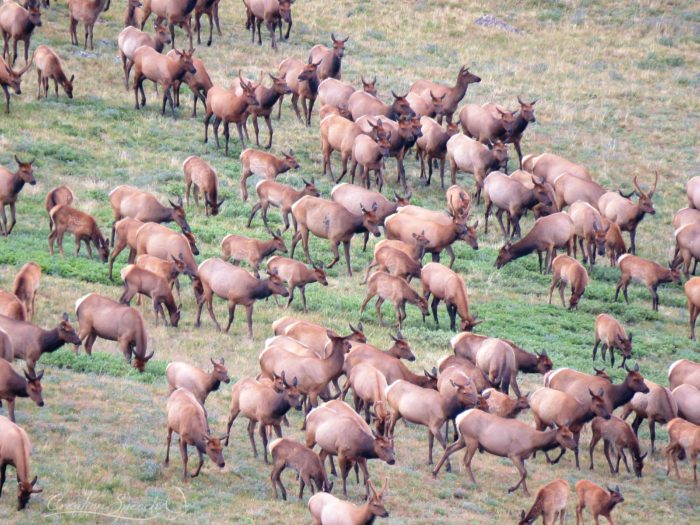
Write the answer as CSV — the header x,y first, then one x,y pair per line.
x,y
287,453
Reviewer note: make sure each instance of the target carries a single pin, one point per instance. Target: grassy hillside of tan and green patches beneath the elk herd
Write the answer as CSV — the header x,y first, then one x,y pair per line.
x,y
618,90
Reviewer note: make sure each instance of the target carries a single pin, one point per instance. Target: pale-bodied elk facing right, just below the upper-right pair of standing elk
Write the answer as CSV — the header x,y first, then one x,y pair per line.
x,y
470,156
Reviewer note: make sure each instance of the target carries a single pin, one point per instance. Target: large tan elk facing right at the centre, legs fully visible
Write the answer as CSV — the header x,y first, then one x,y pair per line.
x,y
330,220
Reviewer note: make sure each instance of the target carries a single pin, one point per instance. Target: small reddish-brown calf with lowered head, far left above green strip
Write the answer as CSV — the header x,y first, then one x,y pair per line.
x,y
66,219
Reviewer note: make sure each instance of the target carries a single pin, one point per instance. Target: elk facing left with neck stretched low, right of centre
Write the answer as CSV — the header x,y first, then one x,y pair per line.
x,y
548,234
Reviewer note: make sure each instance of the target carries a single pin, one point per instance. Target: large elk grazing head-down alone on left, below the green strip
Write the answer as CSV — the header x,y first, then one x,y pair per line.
x,y
96,315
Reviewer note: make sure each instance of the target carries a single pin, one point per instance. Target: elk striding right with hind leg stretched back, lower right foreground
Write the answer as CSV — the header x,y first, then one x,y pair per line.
x,y
502,437
